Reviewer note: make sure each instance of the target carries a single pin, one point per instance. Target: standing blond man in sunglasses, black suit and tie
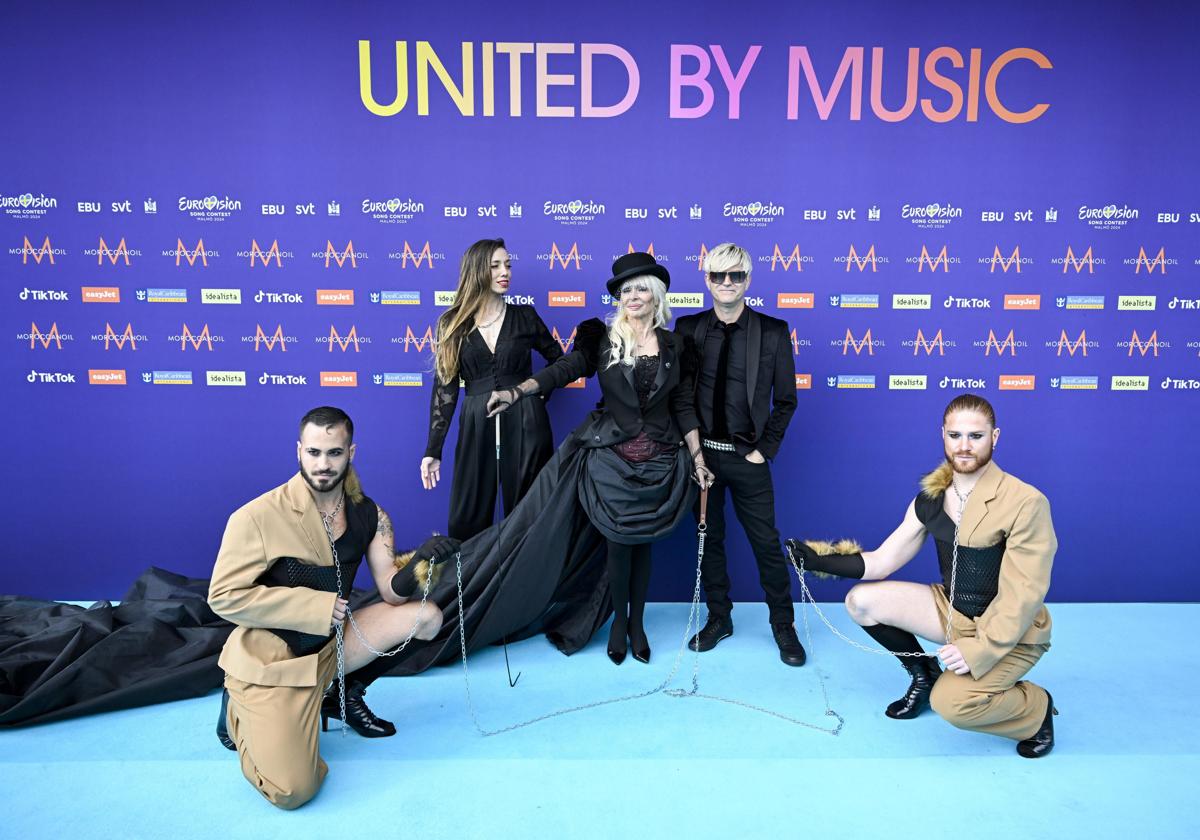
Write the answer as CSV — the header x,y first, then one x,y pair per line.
x,y
746,397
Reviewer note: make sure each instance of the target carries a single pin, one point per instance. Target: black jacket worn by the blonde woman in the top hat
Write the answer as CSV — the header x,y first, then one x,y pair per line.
x,y
670,411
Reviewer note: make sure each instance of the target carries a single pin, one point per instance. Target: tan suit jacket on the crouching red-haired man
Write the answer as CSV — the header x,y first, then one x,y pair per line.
x,y
1004,508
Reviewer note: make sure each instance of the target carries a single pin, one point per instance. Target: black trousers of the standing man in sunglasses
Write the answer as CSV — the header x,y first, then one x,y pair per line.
x,y
754,502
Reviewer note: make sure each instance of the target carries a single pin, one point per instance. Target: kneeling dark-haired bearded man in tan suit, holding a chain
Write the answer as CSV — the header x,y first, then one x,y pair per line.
x,y
286,567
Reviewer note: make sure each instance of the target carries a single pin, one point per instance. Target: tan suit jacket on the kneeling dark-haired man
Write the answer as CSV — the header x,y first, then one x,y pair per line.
x,y
284,523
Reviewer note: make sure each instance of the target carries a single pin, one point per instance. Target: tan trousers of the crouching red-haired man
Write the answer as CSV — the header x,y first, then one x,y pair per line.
x,y
1000,703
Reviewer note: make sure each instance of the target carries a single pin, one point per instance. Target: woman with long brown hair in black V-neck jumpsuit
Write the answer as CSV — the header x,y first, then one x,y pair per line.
x,y
478,322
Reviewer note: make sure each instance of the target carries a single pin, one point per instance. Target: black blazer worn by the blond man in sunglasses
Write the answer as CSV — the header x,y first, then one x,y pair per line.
x,y
771,383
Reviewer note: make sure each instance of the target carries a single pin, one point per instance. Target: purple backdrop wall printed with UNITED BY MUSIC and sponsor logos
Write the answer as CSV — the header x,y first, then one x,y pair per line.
x,y
249,128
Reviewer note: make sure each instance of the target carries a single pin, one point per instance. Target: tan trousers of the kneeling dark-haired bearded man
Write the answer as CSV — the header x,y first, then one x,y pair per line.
x,y
277,731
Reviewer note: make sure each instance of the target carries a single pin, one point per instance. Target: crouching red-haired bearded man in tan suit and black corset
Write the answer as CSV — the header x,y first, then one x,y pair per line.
x,y
995,548
